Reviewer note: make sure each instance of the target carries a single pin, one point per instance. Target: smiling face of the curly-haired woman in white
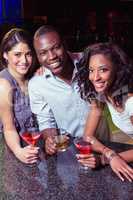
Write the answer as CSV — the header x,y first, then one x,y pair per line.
x,y
100,72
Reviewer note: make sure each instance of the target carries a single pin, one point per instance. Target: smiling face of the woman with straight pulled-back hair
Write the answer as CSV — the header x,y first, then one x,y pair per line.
x,y
19,59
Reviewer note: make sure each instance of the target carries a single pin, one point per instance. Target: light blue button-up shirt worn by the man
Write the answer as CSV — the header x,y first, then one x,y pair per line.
x,y
57,103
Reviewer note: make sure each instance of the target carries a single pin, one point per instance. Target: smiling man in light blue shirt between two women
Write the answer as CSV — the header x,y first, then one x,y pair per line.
x,y
55,96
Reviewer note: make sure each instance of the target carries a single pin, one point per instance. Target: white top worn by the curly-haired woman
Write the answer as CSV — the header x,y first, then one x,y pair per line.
x,y
122,119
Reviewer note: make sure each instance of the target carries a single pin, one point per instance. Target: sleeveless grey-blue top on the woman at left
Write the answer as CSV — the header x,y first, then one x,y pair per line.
x,y
24,119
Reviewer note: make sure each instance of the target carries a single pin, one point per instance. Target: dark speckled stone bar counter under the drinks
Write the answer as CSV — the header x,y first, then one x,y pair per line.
x,y
58,177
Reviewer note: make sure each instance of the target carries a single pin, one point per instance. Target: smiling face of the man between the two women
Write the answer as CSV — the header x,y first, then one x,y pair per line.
x,y
50,52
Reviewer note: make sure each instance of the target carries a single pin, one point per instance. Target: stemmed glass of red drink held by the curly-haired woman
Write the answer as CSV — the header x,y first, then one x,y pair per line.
x,y
83,147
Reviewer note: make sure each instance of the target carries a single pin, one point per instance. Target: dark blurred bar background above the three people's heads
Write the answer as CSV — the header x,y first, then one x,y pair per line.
x,y
81,22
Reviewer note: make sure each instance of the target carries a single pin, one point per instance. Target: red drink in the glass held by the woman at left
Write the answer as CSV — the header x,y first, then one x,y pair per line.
x,y
31,138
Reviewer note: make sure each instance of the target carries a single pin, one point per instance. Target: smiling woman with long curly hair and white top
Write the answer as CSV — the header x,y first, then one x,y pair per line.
x,y
106,77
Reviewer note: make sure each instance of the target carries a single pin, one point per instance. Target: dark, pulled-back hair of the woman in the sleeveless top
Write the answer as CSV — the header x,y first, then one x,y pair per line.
x,y
13,37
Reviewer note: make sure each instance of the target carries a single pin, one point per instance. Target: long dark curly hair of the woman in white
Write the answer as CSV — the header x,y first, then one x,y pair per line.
x,y
122,75
